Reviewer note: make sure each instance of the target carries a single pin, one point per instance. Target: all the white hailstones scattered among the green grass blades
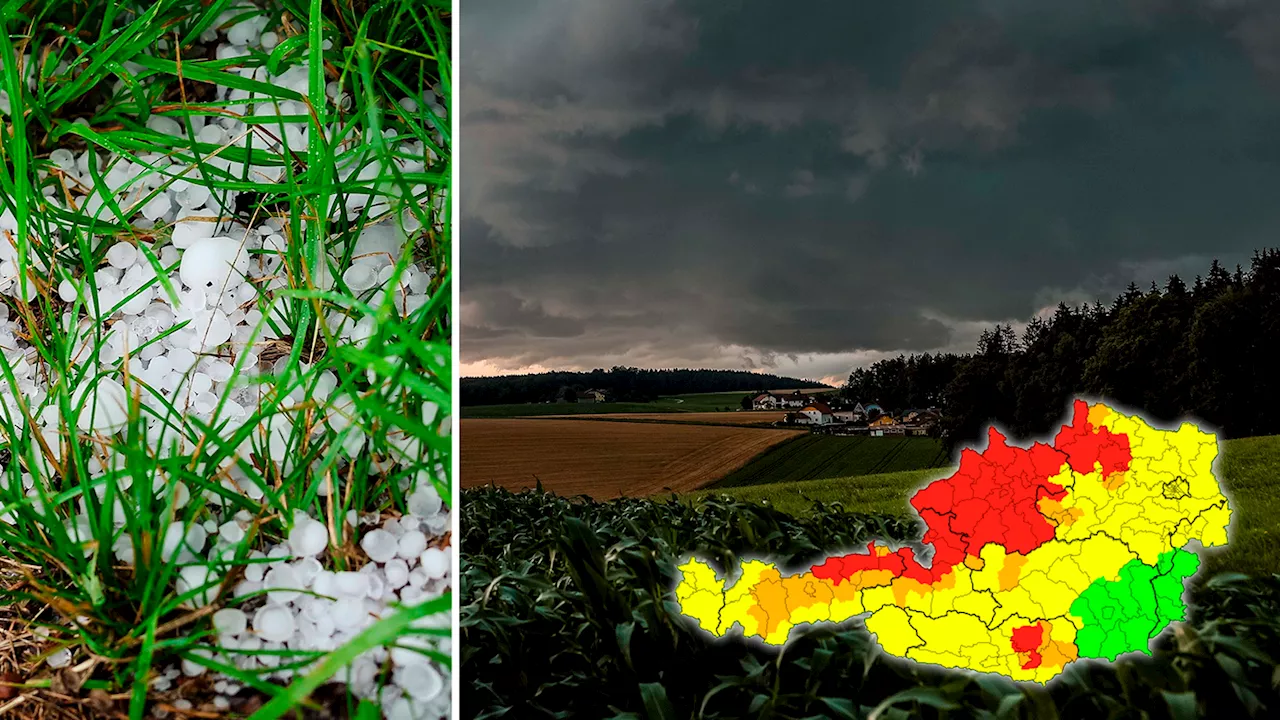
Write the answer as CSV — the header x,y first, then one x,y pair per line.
x,y
226,274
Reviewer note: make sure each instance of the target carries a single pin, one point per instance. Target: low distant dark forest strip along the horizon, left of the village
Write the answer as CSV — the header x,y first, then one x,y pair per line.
x,y
621,385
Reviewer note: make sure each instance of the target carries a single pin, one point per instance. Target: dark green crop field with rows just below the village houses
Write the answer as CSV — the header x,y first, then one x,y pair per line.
x,y
813,458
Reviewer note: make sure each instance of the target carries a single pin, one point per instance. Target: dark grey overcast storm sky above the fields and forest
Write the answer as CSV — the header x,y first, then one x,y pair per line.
x,y
807,188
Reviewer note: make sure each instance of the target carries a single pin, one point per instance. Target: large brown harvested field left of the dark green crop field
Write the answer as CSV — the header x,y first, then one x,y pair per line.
x,y
606,461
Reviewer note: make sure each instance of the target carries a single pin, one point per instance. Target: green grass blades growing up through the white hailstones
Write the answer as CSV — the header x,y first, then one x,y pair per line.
x,y
62,589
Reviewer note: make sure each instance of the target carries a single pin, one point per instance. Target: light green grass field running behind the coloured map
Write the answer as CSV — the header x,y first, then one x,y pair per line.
x,y
1250,466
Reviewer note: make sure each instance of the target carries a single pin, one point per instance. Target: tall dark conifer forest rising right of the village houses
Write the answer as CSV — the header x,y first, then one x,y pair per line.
x,y
1208,352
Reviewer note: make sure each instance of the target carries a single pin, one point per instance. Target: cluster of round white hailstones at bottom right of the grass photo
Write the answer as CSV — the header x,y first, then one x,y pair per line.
x,y
300,605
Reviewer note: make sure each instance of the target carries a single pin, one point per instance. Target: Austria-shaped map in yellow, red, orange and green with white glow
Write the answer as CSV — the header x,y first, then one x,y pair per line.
x,y
1041,555
